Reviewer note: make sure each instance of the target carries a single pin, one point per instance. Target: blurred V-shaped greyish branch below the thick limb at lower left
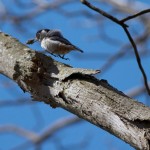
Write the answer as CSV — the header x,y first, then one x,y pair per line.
x,y
47,133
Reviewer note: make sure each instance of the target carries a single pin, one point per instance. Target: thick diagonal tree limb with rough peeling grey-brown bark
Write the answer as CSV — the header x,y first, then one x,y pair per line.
x,y
77,91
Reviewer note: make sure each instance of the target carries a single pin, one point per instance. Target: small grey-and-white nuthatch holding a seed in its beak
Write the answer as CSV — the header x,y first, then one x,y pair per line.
x,y
54,42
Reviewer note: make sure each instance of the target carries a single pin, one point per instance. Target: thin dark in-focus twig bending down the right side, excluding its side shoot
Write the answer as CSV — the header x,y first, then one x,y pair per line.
x,y
124,26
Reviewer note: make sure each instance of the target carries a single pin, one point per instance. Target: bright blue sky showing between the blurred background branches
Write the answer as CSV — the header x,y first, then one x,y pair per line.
x,y
80,31
